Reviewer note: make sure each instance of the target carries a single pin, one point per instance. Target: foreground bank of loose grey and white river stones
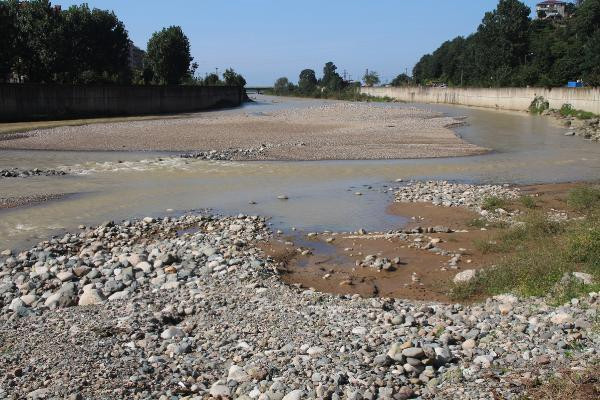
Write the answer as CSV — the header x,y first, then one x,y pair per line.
x,y
191,308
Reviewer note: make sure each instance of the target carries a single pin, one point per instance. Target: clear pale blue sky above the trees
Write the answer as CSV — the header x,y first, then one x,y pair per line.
x,y
267,39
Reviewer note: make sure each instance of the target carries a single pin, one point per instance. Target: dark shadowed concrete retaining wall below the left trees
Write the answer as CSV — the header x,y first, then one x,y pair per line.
x,y
27,102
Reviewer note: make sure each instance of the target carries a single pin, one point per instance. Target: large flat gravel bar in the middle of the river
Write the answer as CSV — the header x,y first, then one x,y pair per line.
x,y
330,131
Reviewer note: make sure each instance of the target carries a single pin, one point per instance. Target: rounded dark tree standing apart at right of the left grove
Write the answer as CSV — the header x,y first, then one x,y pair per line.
x,y
169,55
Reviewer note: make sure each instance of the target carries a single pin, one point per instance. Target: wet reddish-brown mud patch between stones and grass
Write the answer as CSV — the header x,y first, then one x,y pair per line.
x,y
332,268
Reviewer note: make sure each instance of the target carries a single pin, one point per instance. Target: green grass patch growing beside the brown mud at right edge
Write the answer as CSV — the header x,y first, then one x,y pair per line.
x,y
535,255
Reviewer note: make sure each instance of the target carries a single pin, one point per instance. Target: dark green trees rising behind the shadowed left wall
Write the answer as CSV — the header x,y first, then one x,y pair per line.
x,y
41,43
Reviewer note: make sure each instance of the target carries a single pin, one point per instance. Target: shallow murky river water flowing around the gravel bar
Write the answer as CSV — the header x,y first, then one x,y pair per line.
x,y
118,185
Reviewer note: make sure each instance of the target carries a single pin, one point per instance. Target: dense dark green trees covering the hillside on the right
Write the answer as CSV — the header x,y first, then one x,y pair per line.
x,y
511,49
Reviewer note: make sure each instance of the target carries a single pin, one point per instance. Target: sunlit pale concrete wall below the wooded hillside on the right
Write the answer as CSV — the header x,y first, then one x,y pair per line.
x,y
518,99
